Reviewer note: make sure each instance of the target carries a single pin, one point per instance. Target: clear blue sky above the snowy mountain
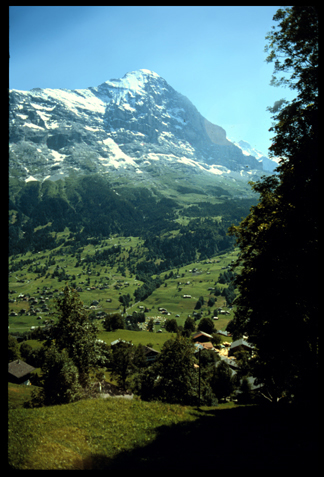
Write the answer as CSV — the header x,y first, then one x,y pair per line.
x,y
213,55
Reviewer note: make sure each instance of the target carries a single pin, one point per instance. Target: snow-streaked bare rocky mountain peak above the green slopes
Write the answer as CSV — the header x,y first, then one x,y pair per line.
x,y
137,126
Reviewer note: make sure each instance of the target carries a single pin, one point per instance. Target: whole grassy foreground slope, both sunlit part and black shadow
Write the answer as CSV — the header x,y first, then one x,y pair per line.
x,y
132,434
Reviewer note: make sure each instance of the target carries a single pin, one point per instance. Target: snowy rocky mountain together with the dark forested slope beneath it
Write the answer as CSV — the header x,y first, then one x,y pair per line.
x,y
131,157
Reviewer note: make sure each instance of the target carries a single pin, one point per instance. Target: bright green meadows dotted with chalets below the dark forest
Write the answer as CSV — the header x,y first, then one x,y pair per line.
x,y
31,276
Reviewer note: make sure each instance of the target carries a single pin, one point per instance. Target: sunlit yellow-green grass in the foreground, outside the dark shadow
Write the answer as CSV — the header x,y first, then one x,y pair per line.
x,y
71,436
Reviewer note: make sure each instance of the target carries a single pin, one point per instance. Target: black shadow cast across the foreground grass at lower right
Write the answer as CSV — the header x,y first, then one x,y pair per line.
x,y
240,438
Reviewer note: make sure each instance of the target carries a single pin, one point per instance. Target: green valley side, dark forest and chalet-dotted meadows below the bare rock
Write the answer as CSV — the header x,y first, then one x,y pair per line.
x,y
109,240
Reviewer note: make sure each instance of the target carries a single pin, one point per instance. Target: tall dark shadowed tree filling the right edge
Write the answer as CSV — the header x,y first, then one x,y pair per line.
x,y
278,240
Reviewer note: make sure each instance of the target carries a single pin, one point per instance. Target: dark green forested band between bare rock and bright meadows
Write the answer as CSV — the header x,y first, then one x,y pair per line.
x,y
91,208
